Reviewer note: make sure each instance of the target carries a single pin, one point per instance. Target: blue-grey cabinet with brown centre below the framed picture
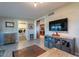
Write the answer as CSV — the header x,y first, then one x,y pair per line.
x,y
7,38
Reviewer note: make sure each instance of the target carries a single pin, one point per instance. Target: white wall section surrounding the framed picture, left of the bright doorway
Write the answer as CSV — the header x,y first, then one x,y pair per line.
x,y
9,29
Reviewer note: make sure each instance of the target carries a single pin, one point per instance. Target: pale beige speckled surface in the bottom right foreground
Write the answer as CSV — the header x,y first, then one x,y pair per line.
x,y
54,52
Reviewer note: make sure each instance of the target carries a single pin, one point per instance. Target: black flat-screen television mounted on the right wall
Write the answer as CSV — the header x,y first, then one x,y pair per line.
x,y
59,25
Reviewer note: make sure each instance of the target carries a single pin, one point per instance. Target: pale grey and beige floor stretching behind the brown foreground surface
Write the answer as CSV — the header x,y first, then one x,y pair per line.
x,y
22,44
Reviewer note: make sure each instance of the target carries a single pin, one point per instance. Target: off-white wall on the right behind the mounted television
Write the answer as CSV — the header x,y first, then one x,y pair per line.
x,y
70,11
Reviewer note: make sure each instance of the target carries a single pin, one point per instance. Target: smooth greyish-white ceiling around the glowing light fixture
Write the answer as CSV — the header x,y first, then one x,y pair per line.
x,y
27,10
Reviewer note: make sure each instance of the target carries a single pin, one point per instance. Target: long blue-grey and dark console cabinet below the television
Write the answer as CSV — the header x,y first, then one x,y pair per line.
x,y
64,44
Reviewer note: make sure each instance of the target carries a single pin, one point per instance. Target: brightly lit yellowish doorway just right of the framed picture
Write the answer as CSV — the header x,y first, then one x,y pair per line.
x,y
22,26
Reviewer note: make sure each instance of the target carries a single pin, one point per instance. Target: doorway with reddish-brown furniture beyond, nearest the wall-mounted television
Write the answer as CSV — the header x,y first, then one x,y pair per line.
x,y
40,29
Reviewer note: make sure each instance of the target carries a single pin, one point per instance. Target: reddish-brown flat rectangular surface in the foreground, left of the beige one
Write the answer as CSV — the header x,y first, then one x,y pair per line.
x,y
31,51
